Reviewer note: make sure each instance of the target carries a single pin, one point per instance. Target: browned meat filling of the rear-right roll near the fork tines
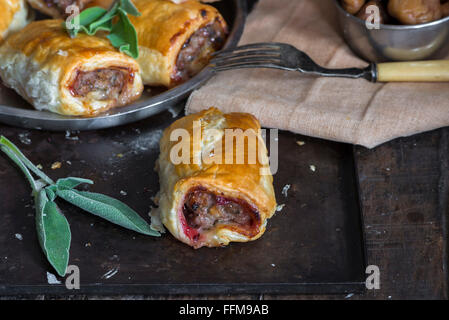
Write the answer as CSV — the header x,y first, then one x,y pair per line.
x,y
196,52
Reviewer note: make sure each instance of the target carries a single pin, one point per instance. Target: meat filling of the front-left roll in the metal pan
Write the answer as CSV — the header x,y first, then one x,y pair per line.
x,y
104,84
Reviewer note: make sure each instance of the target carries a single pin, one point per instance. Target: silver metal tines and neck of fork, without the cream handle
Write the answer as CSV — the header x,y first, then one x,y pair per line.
x,y
282,56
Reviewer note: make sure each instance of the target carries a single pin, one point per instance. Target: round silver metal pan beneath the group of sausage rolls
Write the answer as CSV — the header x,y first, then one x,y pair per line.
x,y
17,112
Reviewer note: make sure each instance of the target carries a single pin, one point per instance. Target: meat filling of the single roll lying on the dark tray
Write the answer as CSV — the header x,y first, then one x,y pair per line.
x,y
204,210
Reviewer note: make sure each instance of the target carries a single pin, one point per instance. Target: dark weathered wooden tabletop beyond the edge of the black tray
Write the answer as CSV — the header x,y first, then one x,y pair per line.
x,y
404,198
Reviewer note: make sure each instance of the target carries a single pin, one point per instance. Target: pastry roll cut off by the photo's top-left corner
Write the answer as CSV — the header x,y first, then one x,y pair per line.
x,y
14,16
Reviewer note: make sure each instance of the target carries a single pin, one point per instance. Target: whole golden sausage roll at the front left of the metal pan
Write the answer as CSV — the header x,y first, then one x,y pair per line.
x,y
80,76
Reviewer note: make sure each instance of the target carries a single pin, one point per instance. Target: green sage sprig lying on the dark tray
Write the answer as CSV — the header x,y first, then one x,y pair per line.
x,y
52,227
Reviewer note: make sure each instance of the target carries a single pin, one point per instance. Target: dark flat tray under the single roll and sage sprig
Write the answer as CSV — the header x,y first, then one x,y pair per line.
x,y
314,245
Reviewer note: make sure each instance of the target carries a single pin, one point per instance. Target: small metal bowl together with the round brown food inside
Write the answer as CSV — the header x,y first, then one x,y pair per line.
x,y
403,30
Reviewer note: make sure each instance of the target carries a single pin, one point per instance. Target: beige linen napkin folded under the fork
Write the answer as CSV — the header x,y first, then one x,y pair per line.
x,y
353,111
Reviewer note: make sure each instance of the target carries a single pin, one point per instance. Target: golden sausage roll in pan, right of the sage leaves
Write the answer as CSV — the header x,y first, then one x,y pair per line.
x,y
176,40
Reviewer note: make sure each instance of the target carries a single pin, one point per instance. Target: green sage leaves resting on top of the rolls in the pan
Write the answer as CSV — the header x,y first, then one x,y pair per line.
x,y
122,33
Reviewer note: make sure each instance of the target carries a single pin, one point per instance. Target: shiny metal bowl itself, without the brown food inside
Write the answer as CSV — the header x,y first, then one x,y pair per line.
x,y
395,42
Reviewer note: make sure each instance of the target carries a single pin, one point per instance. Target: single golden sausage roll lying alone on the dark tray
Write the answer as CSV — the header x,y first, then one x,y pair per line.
x,y
211,202
